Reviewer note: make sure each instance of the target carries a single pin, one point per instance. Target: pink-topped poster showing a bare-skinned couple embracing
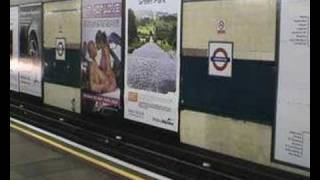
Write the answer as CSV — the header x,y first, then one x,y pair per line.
x,y
101,65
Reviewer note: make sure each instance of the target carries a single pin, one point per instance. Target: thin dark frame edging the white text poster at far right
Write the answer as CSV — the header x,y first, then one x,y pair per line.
x,y
274,122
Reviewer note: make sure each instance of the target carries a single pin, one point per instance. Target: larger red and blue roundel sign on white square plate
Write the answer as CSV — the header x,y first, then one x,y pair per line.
x,y
220,59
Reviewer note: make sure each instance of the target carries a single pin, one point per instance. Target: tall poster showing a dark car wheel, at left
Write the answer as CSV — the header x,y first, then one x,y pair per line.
x,y
30,75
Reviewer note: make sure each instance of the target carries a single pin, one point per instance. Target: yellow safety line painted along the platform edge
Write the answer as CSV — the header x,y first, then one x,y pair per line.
x,y
78,154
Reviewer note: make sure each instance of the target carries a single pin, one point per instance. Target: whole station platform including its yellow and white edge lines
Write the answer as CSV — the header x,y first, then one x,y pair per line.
x,y
34,156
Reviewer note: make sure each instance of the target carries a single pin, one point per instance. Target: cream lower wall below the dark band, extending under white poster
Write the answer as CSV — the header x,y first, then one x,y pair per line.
x,y
246,140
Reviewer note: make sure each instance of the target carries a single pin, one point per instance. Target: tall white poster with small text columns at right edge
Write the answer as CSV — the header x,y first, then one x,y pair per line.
x,y
292,130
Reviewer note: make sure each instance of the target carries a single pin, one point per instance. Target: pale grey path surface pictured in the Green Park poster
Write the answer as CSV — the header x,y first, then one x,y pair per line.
x,y
152,69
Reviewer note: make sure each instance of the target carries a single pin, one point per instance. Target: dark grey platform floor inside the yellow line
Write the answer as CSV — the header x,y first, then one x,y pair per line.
x,y
31,160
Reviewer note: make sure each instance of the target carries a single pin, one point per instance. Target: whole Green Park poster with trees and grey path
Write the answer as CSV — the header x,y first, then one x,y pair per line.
x,y
152,65
